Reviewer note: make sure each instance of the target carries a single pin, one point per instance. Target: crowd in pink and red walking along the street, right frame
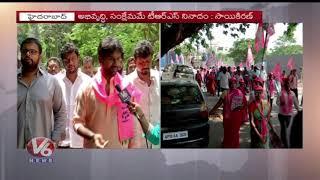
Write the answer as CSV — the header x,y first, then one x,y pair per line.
x,y
247,96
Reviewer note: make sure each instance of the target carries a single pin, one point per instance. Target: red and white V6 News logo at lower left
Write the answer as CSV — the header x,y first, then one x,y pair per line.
x,y
41,148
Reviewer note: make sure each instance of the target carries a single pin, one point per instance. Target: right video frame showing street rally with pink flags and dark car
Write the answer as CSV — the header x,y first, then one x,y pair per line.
x,y
231,85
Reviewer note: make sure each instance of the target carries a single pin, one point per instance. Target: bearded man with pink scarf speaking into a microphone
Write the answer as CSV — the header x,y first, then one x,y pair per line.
x,y
100,116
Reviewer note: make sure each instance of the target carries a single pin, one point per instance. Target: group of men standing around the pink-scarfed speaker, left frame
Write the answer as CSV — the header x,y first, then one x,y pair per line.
x,y
81,108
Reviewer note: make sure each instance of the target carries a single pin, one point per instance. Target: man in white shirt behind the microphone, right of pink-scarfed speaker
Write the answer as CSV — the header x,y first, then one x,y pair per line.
x,y
147,80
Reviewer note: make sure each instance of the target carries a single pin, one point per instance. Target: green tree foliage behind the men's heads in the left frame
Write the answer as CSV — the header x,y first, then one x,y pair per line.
x,y
88,36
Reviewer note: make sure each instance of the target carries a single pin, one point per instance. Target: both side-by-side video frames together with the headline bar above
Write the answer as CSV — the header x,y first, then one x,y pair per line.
x,y
123,85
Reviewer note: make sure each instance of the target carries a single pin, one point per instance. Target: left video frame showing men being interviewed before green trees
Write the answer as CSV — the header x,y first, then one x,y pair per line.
x,y
88,85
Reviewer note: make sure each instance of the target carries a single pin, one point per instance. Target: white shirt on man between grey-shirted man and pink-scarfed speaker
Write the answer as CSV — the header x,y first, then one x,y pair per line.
x,y
69,91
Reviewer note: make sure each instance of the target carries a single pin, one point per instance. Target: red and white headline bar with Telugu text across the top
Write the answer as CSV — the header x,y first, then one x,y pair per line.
x,y
139,16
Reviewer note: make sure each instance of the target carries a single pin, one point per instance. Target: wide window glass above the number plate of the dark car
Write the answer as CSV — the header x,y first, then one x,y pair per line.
x,y
180,94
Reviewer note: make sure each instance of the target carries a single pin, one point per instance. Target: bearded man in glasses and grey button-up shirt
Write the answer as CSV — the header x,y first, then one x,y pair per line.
x,y
41,109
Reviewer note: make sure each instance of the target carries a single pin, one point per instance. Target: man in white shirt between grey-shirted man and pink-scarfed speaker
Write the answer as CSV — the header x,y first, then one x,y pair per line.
x,y
70,82
